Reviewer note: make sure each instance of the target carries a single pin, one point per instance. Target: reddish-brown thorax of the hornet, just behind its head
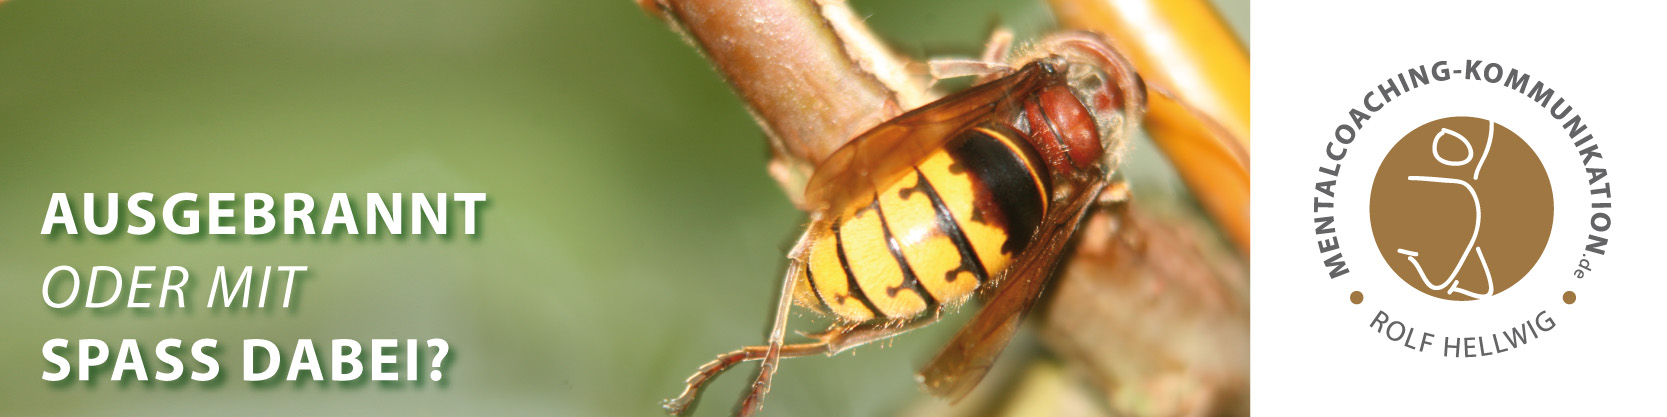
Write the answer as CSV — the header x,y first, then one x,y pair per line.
x,y
1063,129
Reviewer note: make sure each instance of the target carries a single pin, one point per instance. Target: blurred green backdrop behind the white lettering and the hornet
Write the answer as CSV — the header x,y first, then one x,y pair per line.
x,y
631,233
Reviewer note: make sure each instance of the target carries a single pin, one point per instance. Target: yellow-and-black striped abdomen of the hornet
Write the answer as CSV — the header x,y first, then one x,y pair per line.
x,y
933,238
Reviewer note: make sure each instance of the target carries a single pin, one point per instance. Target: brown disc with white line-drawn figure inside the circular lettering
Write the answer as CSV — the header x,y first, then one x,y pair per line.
x,y
1461,209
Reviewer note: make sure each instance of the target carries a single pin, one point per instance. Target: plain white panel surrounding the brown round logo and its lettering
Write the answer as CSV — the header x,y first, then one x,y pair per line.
x,y
1313,353
